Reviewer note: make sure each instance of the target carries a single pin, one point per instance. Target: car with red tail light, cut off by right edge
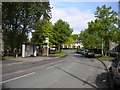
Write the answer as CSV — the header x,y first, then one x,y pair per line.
x,y
115,71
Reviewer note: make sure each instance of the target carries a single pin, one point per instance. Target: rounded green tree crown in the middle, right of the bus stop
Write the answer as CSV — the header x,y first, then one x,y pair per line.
x,y
62,32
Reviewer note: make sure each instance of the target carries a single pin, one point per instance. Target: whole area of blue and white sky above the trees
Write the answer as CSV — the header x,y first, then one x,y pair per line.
x,y
78,13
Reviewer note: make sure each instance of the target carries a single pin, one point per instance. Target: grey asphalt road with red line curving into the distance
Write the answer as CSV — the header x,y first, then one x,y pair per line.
x,y
72,71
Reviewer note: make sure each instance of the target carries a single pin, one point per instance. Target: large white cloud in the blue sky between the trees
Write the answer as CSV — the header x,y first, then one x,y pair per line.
x,y
77,19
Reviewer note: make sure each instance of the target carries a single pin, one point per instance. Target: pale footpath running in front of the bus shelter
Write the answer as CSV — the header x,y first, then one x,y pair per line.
x,y
20,60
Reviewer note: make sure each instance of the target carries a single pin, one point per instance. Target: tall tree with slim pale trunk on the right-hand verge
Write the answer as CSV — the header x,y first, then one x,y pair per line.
x,y
105,24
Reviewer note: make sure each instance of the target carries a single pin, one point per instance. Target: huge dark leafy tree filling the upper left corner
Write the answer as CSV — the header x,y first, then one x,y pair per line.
x,y
17,19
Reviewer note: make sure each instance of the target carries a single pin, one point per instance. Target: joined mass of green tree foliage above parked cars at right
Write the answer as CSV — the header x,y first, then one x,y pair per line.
x,y
103,28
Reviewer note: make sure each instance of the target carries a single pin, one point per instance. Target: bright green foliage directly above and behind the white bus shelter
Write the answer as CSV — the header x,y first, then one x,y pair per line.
x,y
43,29
